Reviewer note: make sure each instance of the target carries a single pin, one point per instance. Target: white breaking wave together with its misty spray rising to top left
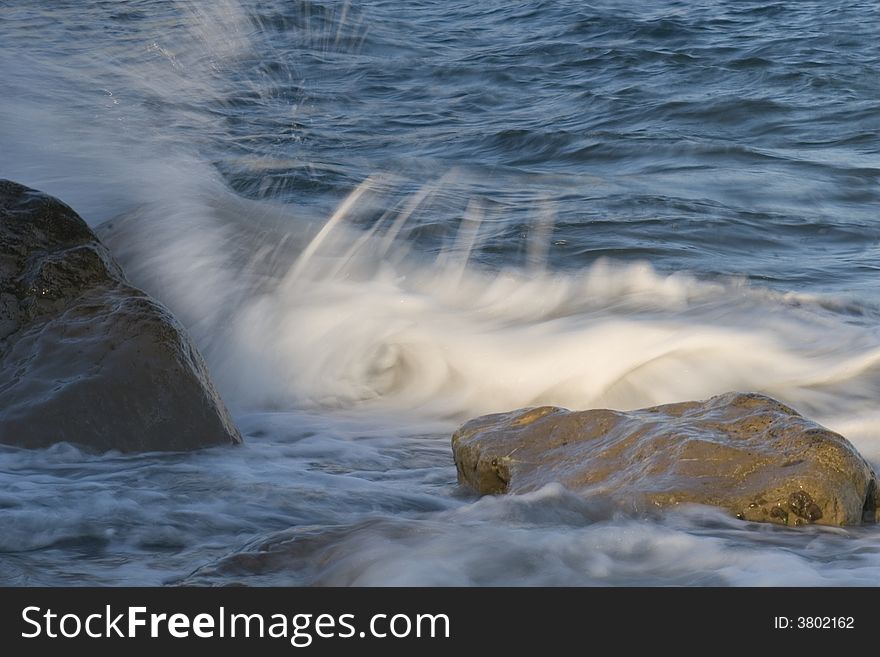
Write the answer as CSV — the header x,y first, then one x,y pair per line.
x,y
355,312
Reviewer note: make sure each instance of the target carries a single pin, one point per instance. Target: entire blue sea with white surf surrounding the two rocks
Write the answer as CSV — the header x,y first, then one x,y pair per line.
x,y
381,218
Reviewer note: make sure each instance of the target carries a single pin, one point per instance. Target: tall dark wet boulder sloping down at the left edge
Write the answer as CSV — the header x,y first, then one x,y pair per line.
x,y
85,357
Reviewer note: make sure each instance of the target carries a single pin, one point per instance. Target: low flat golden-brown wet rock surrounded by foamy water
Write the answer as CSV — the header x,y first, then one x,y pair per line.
x,y
744,452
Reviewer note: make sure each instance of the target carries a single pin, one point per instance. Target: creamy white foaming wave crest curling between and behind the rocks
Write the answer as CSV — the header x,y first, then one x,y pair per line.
x,y
352,319
